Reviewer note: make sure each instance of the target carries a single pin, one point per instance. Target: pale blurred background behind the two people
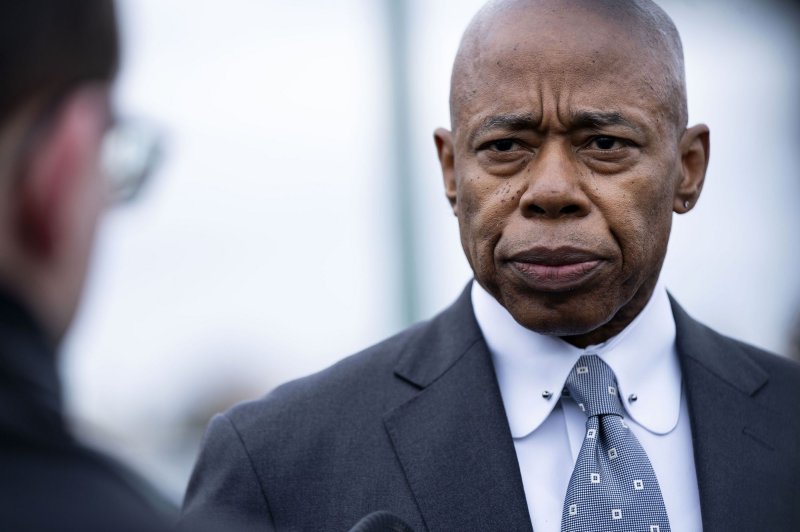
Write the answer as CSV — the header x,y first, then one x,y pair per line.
x,y
299,216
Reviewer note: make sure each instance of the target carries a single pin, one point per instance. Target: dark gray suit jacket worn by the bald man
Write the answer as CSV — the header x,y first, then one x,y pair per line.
x,y
415,425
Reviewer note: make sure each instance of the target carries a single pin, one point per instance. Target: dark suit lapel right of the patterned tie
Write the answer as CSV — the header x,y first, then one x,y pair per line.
x,y
731,434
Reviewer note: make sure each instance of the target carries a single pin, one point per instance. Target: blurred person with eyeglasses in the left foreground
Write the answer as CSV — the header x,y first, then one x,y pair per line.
x,y
57,62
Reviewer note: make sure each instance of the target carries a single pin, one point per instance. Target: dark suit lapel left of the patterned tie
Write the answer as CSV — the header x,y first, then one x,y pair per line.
x,y
452,439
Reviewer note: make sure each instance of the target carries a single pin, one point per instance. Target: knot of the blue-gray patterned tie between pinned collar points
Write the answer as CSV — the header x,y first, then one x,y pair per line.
x,y
592,385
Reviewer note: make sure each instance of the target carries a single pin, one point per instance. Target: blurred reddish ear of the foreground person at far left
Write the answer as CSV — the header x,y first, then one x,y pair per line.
x,y
56,168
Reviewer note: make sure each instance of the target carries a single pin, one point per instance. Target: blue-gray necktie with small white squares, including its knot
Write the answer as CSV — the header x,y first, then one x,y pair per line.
x,y
613,486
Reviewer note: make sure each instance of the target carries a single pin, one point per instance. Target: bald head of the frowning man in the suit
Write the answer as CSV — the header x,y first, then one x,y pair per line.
x,y
569,133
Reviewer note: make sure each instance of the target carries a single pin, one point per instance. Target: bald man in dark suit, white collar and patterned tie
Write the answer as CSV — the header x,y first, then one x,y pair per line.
x,y
569,154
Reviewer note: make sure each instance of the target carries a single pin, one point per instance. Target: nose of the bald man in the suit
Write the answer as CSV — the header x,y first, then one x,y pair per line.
x,y
554,189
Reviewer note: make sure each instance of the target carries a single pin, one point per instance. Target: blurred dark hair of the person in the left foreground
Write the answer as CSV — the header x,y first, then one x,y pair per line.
x,y
48,47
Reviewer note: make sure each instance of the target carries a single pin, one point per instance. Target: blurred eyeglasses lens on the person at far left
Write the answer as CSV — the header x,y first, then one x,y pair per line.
x,y
131,151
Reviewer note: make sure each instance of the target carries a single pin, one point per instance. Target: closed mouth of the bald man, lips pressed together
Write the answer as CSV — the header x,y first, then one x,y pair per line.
x,y
557,269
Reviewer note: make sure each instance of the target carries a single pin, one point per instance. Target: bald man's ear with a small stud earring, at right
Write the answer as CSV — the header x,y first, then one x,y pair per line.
x,y
694,149
